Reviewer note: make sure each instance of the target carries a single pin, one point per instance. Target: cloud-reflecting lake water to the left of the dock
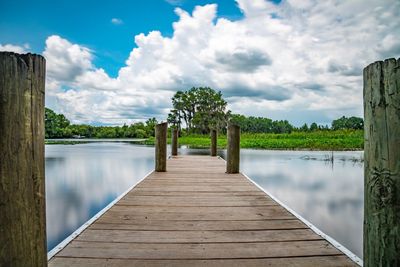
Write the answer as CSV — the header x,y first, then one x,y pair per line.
x,y
82,179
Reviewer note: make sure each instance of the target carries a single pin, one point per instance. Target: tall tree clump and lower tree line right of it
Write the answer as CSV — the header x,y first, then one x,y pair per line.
x,y
202,109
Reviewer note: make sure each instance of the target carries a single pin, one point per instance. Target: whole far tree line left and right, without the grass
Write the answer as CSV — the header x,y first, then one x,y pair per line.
x,y
195,111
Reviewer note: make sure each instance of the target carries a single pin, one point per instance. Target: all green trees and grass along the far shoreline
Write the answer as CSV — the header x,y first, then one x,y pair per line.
x,y
199,110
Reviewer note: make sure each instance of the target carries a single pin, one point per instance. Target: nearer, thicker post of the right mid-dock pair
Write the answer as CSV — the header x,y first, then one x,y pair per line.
x,y
233,151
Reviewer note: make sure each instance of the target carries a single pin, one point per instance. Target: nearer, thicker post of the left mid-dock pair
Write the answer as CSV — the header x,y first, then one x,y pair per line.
x,y
161,147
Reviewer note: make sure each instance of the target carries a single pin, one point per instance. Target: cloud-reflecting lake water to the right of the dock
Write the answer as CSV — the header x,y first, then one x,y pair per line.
x,y
331,196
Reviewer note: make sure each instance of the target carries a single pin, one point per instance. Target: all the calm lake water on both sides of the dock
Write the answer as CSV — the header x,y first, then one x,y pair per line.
x,y
82,179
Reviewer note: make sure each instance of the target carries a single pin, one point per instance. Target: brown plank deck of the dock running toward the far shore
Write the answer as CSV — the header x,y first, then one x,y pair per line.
x,y
197,215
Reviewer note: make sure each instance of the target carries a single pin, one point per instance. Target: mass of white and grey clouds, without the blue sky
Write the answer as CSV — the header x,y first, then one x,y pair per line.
x,y
298,60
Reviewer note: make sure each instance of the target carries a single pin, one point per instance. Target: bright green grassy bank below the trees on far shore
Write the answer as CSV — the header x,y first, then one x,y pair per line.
x,y
319,140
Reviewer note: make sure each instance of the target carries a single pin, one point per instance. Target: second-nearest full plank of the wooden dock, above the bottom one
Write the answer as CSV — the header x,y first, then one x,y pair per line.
x,y
110,250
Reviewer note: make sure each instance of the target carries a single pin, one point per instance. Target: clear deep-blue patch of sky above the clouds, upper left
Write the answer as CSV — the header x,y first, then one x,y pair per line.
x,y
88,22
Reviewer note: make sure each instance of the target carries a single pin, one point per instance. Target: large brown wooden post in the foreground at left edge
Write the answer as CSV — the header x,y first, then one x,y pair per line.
x,y
22,186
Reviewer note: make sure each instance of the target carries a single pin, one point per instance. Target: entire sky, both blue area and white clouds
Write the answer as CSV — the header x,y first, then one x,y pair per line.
x,y
115,62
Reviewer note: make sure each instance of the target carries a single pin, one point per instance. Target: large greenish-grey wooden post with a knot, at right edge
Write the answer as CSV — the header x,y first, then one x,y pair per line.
x,y
382,163
